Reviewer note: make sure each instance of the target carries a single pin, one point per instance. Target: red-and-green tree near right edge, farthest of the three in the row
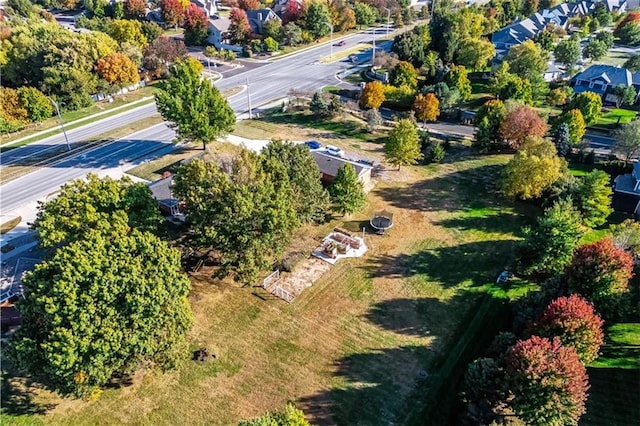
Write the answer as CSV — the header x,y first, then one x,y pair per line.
x,y
601,272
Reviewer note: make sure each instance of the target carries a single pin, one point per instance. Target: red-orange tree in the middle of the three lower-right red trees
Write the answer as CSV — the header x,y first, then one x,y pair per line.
x,y
574,321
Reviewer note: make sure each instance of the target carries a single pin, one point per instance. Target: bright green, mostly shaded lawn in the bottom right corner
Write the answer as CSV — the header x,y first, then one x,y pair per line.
x,y
615,379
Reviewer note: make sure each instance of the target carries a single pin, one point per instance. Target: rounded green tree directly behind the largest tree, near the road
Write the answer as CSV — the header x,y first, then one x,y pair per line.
x,y
99,204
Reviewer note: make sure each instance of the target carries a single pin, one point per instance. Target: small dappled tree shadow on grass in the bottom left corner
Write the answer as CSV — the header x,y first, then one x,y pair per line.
x,y
18,396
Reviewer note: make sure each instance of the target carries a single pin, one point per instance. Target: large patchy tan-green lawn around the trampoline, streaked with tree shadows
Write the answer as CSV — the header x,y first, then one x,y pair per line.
x,y
377,340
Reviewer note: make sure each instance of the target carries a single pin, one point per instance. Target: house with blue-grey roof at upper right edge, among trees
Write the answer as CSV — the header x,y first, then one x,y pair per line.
x,y
601,79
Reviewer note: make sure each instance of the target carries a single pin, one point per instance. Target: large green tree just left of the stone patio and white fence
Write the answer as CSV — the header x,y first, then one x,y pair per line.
x,y
245,212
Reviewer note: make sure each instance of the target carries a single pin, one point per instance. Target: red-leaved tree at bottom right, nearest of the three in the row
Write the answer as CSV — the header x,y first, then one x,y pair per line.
x,y
548,382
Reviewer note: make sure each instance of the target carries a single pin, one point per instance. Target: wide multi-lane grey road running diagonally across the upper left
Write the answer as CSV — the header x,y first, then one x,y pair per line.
x,y
302,71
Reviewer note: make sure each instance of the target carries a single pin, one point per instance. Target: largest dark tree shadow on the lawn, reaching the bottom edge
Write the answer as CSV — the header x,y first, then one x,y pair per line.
x,y
407,383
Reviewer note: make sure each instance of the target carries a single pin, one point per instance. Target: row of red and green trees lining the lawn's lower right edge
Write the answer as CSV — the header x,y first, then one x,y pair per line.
x,y
537,371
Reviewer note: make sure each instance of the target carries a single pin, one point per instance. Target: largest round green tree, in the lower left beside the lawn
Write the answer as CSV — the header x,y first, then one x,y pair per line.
x,y
102,305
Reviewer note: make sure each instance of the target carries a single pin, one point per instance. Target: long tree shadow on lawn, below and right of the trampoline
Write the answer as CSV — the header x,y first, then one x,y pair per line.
x,y
449,266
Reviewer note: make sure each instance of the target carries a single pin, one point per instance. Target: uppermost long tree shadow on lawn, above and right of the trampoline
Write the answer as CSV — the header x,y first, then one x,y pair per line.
x,y
444,193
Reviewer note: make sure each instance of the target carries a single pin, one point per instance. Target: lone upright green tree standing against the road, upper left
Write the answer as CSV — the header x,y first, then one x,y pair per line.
x,y
194,106
